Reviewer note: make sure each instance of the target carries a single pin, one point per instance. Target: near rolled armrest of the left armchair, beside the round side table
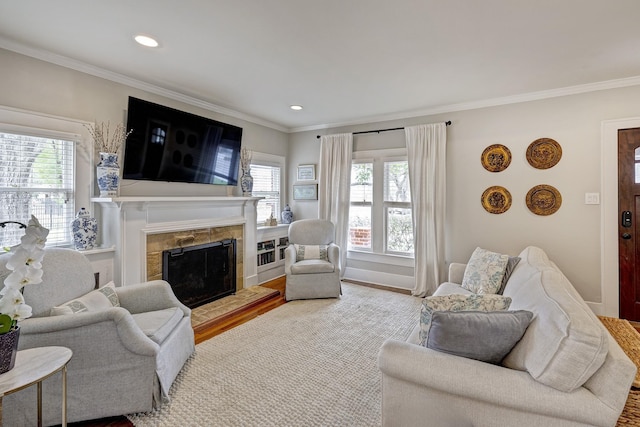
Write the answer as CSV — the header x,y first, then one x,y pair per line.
x,y
113,328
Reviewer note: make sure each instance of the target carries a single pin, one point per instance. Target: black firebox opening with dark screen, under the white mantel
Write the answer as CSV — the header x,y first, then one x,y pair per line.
x,y
202,273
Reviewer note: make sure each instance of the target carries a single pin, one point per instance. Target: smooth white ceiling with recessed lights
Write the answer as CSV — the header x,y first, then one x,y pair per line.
x,y
345,61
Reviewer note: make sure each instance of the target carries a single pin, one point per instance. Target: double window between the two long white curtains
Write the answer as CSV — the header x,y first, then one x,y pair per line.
x,y
380,207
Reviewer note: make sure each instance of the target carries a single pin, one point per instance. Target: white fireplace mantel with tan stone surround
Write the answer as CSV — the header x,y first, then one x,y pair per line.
x,y
138,227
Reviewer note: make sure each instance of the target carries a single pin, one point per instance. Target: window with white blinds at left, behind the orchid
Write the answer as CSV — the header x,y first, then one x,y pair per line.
x,y
36,178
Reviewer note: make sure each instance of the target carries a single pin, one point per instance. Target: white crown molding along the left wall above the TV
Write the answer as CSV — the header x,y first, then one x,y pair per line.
x,y
83,67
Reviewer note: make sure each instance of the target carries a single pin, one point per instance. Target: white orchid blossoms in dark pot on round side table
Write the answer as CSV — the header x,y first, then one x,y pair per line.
x,y
25,264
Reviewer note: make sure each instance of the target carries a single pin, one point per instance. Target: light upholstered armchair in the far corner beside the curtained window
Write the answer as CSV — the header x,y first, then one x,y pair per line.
x,y
312,261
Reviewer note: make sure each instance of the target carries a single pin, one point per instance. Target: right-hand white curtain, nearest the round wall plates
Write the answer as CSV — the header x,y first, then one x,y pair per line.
x,y
426,151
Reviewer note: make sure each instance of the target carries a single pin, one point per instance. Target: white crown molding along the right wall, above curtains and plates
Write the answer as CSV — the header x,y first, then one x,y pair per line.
x,y
493,102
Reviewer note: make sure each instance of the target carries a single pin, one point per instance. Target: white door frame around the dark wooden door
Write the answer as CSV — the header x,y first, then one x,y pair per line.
x,y
609,269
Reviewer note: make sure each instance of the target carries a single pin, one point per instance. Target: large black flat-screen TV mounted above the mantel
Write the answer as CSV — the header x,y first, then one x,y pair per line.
x,y
176,146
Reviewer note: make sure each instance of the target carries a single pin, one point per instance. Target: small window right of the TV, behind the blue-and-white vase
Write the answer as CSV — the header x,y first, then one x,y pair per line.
x,y
266,171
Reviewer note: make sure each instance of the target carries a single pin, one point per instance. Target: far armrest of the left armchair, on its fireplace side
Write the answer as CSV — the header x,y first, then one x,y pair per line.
x,y
149,296
